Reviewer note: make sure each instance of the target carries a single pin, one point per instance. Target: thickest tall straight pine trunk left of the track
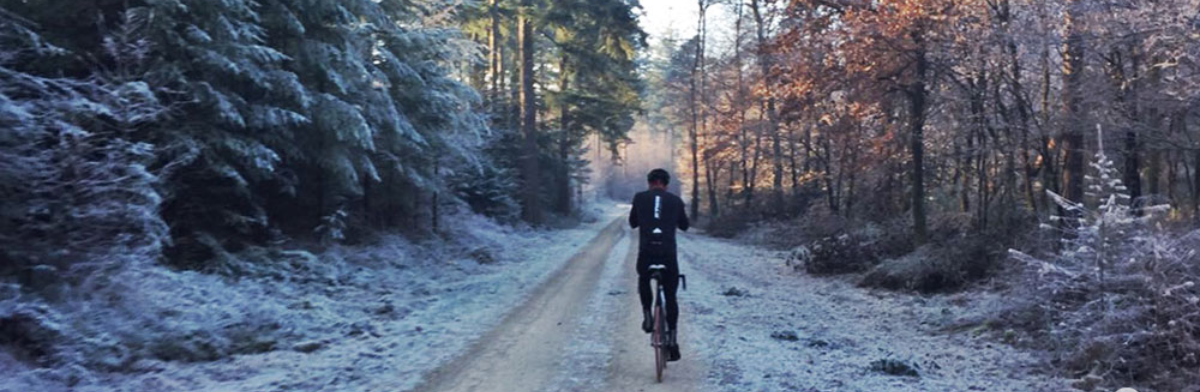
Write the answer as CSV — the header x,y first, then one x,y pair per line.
x,y
532,210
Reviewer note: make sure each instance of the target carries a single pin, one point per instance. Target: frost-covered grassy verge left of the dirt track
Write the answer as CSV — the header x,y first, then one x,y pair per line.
x,y
352,319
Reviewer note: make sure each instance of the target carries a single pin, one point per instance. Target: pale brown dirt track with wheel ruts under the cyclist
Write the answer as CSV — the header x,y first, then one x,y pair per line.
x,y
580,333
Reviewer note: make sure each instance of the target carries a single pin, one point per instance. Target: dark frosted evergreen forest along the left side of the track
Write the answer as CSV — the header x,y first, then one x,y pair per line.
x,y
196,130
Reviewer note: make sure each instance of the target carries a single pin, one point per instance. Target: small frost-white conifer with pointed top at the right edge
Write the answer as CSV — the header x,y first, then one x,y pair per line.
x,y
1120,300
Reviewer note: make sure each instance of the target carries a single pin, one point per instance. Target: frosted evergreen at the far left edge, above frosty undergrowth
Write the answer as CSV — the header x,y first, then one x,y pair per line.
x,y
76,186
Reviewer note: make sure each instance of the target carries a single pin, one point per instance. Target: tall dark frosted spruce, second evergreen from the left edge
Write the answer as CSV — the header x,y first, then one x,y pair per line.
x,y
241,108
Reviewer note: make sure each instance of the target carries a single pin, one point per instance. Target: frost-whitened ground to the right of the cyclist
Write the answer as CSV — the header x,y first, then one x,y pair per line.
x,y
788,331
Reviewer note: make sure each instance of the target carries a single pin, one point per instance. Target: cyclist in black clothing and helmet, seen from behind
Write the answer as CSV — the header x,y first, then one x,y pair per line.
x,y
657,214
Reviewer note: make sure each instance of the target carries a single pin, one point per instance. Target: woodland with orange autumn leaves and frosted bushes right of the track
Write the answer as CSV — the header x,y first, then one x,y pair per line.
x,y
1061,136
